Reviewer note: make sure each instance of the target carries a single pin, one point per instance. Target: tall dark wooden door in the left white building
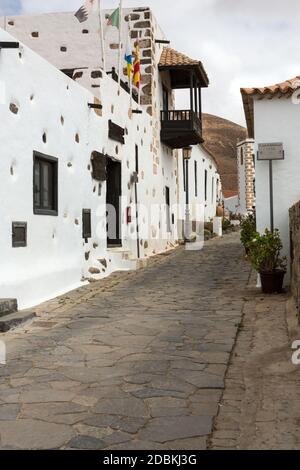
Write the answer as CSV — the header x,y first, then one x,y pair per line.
x,y
113,200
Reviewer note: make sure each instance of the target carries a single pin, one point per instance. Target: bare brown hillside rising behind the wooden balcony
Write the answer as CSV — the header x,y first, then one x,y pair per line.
x,y
220,137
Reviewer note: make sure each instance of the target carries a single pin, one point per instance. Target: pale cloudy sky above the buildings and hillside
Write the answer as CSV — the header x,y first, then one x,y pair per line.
x,y
240,42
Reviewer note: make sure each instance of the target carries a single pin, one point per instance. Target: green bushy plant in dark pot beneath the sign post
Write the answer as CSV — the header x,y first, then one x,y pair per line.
x,y
264,254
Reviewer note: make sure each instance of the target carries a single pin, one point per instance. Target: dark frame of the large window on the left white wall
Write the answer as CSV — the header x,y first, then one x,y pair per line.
x,y
38,209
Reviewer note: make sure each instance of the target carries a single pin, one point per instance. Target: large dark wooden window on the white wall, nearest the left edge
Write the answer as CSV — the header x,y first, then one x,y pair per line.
x,y
45,175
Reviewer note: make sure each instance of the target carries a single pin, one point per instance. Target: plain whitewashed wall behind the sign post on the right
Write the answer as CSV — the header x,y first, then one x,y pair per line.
x,y
278,120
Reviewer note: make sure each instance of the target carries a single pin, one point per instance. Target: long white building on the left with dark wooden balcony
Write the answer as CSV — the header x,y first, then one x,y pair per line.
x,y
72,147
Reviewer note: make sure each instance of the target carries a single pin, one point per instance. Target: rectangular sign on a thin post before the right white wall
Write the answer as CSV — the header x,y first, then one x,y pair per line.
x,y
270,152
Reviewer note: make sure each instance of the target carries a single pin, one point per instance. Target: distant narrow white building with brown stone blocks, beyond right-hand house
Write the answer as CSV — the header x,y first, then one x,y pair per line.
x,y
246,176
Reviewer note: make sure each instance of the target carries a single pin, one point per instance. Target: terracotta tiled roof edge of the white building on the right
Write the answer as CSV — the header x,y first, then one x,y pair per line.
x,y
286,88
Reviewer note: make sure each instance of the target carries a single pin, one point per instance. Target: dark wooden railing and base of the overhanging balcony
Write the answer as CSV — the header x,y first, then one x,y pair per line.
x,y
180,129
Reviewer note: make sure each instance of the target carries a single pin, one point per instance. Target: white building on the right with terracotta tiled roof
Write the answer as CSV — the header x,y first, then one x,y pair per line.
x,y
272,115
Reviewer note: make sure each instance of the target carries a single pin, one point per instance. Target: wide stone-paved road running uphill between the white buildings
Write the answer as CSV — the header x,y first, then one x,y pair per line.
x,y
139,364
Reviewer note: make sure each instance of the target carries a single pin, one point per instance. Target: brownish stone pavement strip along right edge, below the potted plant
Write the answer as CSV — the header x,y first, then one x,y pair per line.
x,y
260,408
